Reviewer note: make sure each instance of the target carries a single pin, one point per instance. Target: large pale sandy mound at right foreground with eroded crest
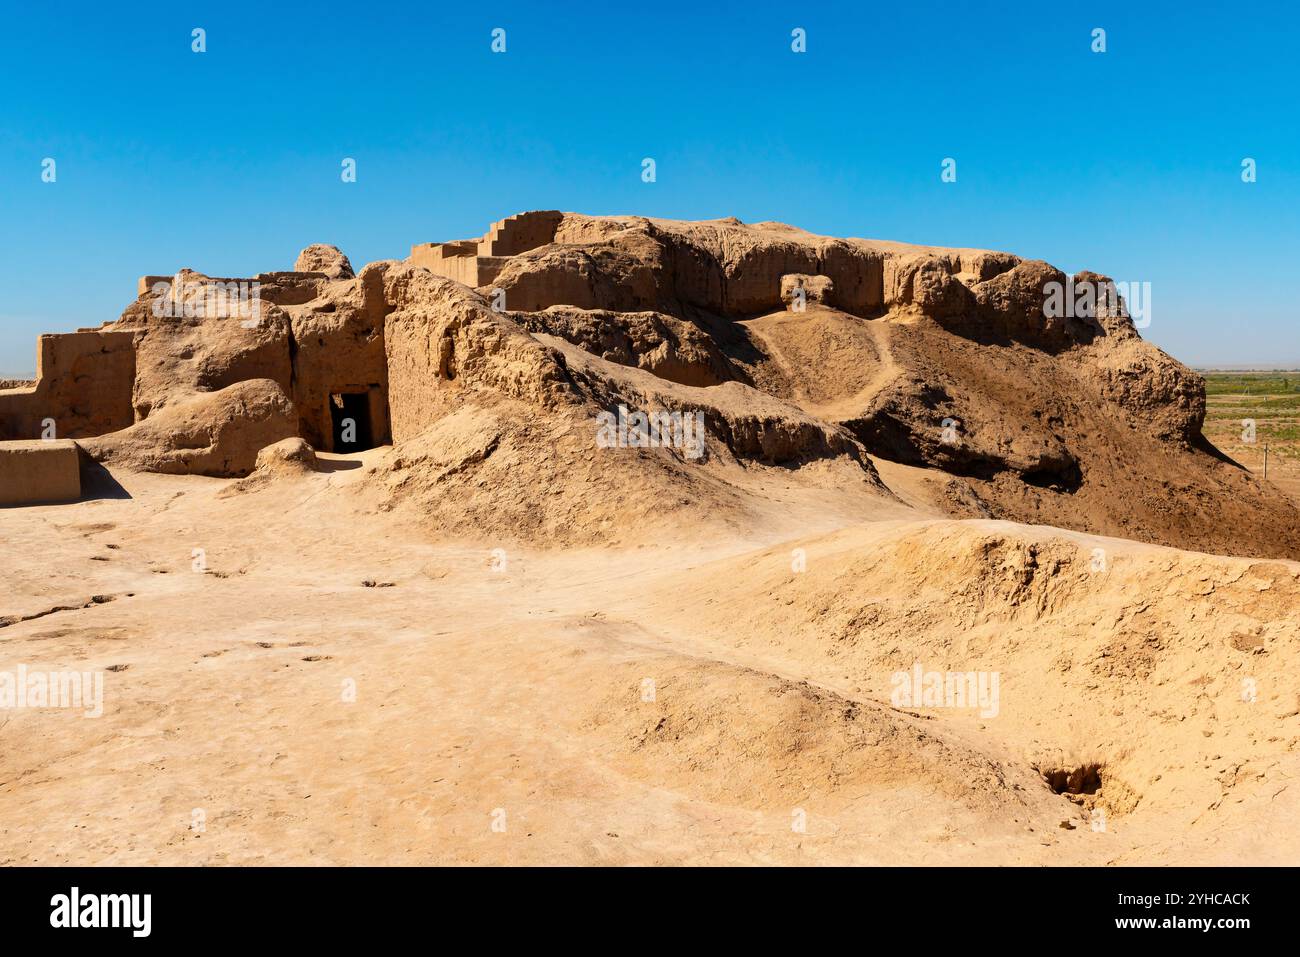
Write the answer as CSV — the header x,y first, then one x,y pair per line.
x,y
1167,670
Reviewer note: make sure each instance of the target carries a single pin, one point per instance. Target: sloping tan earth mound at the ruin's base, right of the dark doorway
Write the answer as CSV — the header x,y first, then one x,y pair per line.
x,y
496,470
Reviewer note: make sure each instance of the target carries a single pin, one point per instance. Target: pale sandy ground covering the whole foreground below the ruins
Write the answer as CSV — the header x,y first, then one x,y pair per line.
x,y
666,704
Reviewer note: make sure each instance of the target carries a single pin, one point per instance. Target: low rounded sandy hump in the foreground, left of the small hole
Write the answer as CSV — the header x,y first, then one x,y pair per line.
x,y
746,738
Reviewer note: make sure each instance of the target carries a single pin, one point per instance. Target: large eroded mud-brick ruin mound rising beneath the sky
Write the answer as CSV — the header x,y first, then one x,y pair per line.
x,y
804,354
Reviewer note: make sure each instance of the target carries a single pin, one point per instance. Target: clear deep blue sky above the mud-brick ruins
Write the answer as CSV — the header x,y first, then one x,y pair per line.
x,y
228,162
